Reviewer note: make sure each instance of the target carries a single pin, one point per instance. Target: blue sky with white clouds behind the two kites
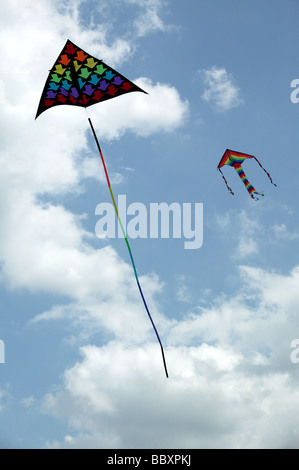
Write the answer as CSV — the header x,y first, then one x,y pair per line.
x,y
82,365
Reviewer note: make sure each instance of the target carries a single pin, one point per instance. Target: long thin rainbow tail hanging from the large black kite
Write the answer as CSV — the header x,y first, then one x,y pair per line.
x,y
129,248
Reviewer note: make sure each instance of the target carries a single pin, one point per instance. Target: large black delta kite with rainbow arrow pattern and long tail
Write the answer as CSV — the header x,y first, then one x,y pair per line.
x,y
79,79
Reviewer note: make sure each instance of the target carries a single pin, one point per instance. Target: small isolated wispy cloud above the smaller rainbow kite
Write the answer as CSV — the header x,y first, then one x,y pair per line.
x,y
221,89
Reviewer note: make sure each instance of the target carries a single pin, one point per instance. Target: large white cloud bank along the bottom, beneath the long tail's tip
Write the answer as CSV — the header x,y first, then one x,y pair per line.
x,y
230,374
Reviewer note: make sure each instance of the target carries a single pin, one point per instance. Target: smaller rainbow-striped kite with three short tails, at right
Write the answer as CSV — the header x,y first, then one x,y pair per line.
x,y
232,158
